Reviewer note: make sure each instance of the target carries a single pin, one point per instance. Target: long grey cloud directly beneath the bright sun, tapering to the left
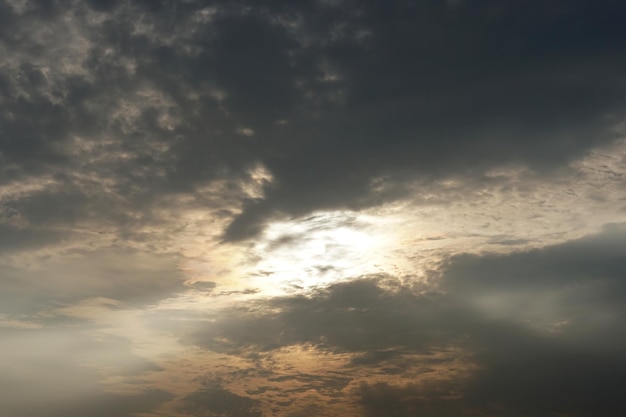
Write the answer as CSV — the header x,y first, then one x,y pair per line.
x,y
356,316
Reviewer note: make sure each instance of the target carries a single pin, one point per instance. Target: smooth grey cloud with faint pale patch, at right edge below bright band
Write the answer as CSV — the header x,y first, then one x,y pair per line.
x,y
576,282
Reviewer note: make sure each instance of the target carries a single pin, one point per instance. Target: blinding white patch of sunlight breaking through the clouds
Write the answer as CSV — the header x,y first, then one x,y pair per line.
x,y
319,250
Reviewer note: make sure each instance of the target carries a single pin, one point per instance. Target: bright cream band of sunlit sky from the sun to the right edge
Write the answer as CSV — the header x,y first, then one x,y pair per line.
x,y
406,239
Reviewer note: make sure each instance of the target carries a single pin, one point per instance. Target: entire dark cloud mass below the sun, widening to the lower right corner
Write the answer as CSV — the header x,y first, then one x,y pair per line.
x,y
543,328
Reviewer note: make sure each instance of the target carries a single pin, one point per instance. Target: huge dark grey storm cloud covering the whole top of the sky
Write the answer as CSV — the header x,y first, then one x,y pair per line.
x,y
331,95
